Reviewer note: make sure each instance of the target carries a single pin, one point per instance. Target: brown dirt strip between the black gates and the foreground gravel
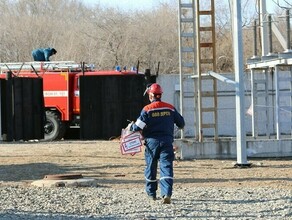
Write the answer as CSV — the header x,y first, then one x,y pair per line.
x,y
22,163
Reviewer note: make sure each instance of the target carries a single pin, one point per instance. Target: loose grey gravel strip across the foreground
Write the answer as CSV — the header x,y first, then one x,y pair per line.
x,y
105,203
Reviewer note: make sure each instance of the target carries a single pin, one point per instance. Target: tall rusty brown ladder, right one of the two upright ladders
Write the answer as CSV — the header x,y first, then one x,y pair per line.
x,y
206,61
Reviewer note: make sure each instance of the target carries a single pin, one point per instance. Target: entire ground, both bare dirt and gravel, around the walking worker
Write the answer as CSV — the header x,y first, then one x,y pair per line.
x,y
203,189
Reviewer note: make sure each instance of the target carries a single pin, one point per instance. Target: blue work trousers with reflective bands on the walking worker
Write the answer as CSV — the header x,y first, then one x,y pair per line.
x,y
162,152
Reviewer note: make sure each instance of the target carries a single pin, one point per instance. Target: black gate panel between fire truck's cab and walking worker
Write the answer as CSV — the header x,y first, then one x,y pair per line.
x,y
107,102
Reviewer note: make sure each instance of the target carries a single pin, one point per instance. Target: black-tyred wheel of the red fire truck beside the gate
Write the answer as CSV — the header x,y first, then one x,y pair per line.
x,y
54,128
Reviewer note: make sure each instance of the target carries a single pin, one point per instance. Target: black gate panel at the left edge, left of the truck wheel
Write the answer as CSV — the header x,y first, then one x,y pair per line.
x,y
22,109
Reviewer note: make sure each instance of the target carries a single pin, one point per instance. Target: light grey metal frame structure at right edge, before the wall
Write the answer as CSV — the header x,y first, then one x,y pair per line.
x,y
273,66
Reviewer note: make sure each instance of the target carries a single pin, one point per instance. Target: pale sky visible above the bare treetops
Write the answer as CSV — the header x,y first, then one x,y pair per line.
x,y
148,4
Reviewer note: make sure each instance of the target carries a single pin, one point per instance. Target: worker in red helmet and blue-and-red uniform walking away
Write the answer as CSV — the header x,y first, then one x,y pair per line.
x,y
157,121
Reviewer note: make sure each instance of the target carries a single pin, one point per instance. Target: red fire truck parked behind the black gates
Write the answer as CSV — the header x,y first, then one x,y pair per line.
x,y
60,90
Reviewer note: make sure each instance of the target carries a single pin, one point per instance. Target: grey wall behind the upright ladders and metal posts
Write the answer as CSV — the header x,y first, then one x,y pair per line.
x,y
226,104
